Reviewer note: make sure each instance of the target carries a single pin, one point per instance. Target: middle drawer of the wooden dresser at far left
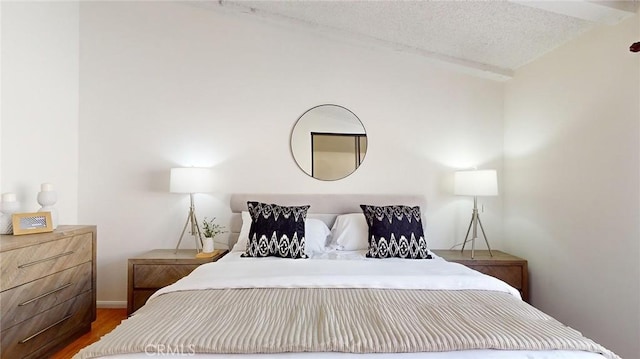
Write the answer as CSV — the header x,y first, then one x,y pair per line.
x,y
24,302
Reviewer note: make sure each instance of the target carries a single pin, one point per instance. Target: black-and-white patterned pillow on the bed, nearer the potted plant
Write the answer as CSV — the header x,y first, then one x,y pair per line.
x,y
276,231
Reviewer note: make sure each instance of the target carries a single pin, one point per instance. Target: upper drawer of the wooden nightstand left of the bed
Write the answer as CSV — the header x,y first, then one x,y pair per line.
x,y
158,275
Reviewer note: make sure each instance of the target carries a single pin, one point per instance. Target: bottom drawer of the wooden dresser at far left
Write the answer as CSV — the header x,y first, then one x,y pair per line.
x,y
43,329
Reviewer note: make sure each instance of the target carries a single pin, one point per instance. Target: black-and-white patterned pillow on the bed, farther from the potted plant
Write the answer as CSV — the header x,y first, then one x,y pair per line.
x,y
395,231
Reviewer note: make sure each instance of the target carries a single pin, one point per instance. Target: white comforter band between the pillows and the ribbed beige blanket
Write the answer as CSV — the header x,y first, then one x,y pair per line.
x,y
357,272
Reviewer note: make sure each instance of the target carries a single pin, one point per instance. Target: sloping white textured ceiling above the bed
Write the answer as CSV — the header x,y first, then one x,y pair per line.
x,y
488,38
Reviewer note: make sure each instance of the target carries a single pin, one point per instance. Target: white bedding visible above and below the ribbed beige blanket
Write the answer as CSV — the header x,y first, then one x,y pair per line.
x,y
332,270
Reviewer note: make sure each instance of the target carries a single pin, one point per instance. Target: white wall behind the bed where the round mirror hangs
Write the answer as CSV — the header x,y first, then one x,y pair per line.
x,y
167,84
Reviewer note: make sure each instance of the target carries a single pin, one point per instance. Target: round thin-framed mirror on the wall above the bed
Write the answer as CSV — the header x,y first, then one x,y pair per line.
x,y
328,142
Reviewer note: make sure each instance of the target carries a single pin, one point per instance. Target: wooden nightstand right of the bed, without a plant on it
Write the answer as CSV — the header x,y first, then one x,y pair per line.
x,y
506,267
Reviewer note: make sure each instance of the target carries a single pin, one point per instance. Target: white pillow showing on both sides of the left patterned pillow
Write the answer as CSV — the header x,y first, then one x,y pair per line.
x,y
316,233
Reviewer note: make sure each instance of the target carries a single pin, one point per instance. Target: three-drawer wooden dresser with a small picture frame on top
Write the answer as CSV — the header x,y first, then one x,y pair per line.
x,y
47,290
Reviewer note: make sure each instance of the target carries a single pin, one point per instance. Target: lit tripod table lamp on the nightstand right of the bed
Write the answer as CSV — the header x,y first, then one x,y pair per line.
x,y
476,183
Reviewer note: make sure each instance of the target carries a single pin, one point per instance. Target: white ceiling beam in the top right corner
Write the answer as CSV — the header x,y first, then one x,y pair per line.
x,y
604,12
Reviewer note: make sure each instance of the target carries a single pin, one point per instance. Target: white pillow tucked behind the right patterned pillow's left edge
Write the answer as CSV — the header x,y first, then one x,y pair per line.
x,y
350,232
